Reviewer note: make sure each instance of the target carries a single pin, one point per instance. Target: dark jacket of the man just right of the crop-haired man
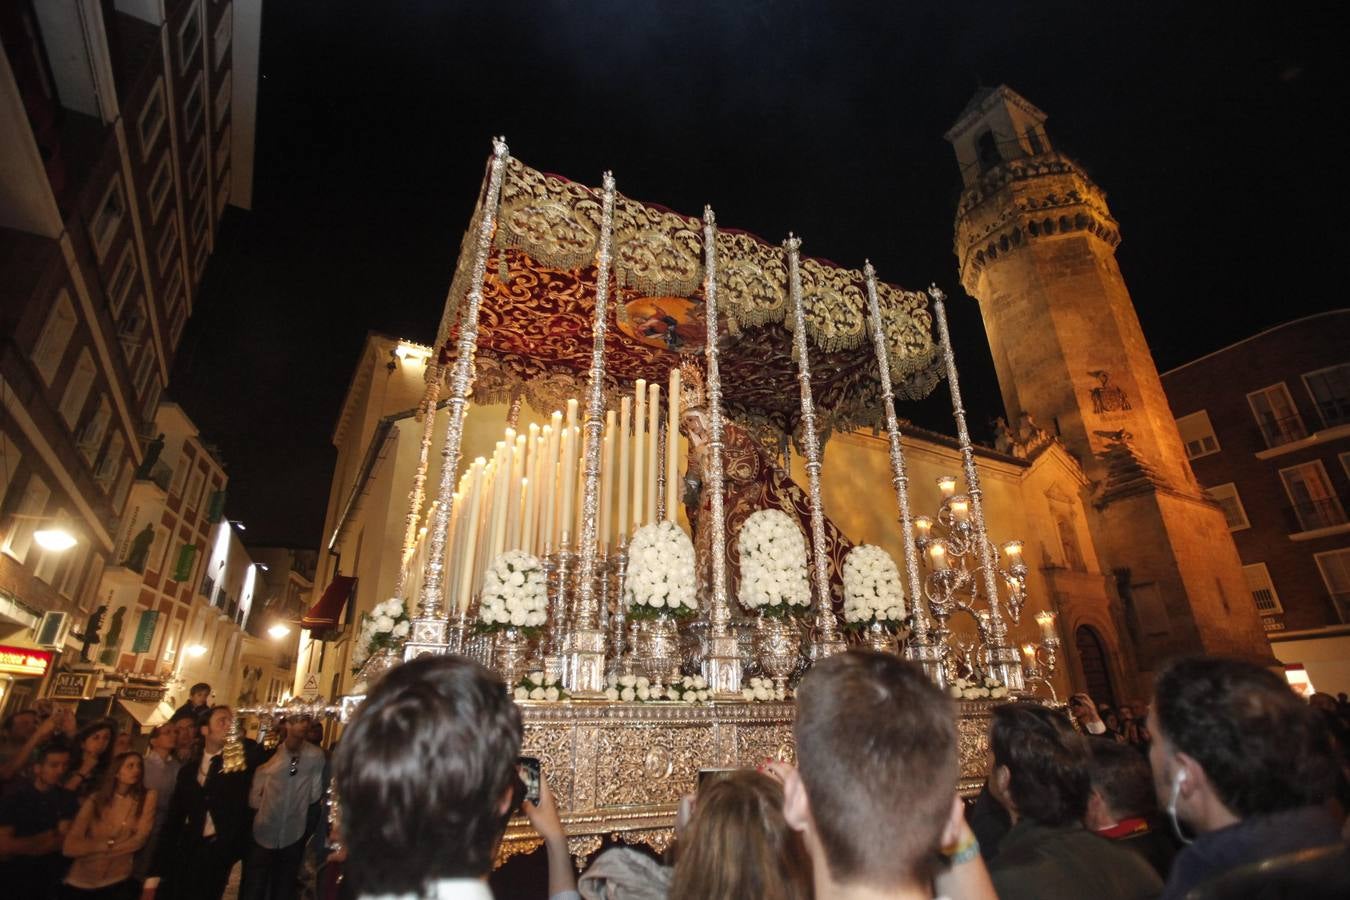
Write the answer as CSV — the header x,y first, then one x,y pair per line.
x,y
1037,863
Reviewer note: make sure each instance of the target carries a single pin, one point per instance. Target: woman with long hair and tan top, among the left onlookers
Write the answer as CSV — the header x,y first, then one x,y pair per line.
x,y
114,822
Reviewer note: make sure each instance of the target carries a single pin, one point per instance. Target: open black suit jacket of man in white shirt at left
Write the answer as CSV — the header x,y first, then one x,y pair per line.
x,y
225,795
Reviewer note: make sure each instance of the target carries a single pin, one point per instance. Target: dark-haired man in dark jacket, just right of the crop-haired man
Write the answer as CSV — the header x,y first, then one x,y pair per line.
x,y
1040,775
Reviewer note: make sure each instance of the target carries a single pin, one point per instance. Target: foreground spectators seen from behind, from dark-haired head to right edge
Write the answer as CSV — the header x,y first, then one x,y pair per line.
x,y
1231,787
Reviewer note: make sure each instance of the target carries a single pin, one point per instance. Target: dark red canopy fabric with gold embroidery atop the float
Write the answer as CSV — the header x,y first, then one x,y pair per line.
x,y
539,300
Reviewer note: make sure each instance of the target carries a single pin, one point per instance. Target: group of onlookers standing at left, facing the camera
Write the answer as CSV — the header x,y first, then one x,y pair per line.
x,y
86,814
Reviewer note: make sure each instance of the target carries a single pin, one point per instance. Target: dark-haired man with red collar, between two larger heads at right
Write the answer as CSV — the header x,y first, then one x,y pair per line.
x,y
1123,806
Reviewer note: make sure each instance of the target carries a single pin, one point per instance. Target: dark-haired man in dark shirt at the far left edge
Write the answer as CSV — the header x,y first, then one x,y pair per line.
x,y
34,820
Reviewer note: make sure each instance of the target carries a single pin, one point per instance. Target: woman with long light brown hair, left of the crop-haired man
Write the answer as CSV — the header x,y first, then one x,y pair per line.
x,y
739,845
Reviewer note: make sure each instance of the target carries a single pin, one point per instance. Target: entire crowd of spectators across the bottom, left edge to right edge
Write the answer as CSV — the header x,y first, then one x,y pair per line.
x,y
1225,786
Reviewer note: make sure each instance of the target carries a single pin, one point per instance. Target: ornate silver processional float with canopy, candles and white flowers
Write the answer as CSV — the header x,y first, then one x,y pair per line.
x,y
547,272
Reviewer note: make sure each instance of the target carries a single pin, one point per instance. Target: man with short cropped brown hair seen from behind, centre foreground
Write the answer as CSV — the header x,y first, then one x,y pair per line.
x,y
874,794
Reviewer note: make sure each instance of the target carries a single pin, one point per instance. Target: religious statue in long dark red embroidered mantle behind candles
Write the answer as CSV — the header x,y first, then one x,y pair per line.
x,y
751,482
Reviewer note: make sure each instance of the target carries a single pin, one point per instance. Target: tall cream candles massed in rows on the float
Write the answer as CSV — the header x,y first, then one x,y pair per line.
x,y
529,496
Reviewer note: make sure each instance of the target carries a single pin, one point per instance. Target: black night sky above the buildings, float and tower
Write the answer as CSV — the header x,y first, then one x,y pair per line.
x,y
1213,134
